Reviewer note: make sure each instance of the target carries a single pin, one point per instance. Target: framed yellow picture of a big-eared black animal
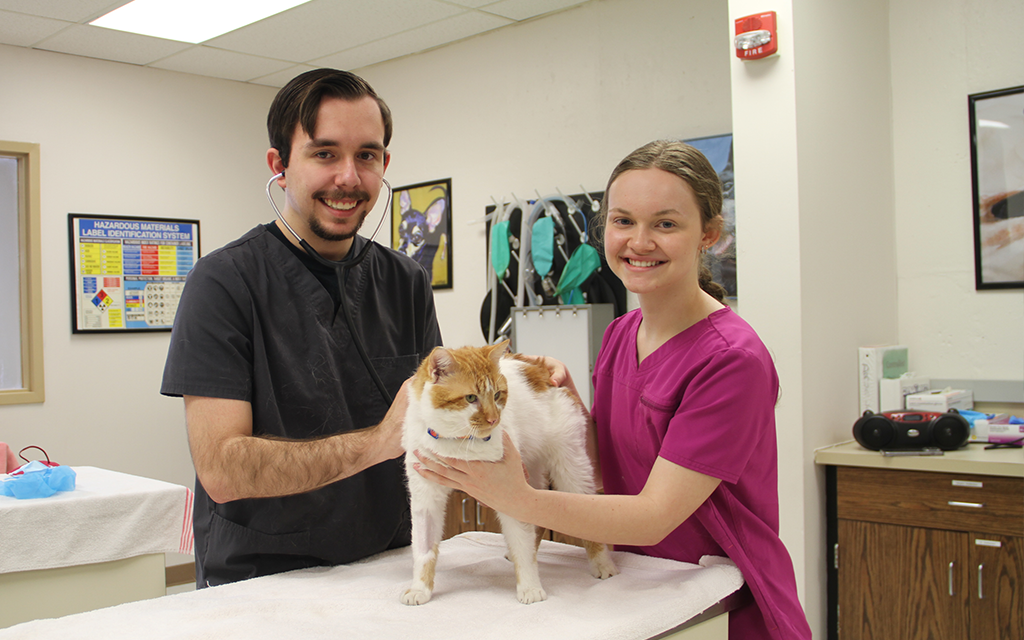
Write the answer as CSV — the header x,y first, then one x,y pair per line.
x,y
421,228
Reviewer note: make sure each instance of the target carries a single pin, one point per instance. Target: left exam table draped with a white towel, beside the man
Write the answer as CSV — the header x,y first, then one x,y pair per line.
x,y
100,545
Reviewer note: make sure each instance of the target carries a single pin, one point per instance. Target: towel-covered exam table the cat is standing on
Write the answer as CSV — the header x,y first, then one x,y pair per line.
x,y
475,598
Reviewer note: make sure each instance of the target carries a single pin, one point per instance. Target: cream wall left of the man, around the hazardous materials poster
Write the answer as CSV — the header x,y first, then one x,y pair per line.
x,y
124,141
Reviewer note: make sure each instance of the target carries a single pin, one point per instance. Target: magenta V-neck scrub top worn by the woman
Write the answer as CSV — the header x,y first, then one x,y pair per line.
x,y
705,401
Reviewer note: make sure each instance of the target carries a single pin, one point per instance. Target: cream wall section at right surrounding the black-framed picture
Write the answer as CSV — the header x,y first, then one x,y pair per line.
x,y
940,57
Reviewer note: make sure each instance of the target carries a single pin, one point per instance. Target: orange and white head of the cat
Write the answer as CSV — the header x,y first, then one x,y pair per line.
x,y
465,390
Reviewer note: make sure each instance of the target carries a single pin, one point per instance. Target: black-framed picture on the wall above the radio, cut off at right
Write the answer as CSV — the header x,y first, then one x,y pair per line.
x,y
998,166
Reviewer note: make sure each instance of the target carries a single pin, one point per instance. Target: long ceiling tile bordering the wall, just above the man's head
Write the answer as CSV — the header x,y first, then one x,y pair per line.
x,y
420,39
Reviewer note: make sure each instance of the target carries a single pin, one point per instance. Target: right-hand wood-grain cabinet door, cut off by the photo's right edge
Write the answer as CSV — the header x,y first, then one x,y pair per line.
x,y
997,579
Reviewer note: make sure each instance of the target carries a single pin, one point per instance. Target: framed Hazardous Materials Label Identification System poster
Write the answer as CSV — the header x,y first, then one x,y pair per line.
x,y
127,274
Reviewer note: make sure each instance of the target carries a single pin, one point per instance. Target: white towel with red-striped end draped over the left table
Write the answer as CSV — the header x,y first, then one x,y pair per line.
x,y
109,517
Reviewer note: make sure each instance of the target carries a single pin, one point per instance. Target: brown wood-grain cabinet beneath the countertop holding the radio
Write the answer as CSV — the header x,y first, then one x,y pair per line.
x,y
921,554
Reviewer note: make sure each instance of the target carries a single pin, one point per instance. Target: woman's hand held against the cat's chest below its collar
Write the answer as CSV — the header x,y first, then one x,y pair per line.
x,y
501,486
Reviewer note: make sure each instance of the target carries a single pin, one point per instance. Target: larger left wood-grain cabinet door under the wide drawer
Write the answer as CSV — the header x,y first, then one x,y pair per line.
x,y
902,583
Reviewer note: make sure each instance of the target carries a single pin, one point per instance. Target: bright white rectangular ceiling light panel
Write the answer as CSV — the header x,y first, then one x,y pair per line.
x,y
191,21
